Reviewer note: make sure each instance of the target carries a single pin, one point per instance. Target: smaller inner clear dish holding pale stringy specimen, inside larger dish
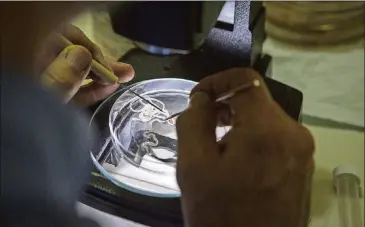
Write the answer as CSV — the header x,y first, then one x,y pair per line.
x,y
138,129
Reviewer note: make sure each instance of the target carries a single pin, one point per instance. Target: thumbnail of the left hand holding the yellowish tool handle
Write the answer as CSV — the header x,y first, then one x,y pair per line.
x,y
79,57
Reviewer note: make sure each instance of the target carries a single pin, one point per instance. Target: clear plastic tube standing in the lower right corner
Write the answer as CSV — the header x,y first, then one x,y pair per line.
x,y
347,185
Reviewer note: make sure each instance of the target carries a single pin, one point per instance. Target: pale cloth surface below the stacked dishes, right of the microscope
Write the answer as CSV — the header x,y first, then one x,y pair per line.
x,y
332,81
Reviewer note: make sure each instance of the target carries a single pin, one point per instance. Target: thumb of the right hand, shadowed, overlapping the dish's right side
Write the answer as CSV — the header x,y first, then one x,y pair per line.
x,y
196,129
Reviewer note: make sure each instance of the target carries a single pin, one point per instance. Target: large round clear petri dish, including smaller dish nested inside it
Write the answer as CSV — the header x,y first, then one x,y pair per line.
x,y
136,148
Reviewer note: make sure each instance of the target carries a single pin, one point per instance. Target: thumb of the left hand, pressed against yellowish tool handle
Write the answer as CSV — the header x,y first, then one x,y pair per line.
x,y
67,72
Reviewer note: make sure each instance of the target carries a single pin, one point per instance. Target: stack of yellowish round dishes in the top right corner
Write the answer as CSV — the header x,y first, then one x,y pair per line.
x,y
316,23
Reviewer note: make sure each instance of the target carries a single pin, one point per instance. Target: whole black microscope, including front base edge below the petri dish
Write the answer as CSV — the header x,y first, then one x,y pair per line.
x,y
189,40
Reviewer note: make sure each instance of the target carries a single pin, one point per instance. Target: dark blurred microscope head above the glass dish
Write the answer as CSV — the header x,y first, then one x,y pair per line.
x,y
171,25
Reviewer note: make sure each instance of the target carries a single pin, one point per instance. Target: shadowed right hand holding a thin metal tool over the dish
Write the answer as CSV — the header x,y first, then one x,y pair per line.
x,y
259,174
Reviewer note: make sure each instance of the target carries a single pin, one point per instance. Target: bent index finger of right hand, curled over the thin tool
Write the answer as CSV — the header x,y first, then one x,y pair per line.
x,y
244,105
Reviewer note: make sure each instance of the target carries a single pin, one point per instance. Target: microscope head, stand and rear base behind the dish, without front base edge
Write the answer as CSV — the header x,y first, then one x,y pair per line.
x,y
192,40
